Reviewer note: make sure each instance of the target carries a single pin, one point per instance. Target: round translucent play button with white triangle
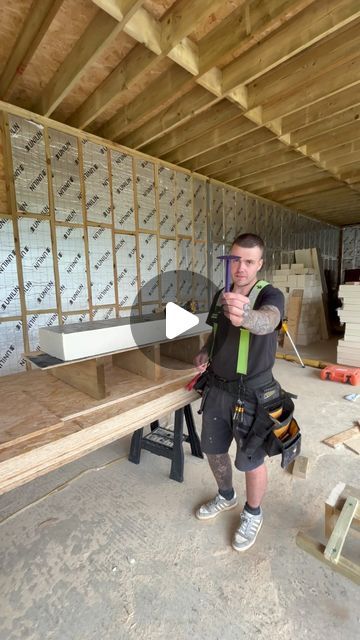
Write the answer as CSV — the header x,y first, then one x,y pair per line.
x,y
169,308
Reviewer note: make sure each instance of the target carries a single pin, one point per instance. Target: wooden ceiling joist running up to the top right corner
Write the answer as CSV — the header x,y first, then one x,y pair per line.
x,y
310,26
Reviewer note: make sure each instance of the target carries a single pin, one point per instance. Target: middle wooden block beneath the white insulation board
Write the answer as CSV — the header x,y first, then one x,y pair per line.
x,y
144,362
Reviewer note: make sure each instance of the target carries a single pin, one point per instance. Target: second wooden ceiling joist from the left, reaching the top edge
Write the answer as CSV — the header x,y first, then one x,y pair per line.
x,y
102,30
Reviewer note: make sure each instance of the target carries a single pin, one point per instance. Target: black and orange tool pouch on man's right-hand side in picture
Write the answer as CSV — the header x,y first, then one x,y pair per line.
x,y
284,438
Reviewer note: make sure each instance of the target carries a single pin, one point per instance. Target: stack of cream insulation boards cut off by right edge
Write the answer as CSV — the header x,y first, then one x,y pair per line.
x,y
348,351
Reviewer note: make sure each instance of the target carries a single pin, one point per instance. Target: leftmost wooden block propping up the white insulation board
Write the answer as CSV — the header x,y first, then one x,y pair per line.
x,y
88,377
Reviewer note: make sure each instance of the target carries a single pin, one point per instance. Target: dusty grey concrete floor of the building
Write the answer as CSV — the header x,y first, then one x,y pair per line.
x,y
106,549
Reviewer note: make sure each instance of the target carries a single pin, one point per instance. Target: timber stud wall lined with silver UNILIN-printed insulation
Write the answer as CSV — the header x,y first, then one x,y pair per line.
x,y
77,238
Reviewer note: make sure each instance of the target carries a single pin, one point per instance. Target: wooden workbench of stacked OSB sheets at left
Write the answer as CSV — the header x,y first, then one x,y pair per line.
x,y
46,423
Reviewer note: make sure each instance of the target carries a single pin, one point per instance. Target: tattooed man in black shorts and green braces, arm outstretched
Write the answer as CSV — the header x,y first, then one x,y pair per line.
x,y
241,351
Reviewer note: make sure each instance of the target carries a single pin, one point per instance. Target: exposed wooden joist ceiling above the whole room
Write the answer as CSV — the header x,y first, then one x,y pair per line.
x,y
259,88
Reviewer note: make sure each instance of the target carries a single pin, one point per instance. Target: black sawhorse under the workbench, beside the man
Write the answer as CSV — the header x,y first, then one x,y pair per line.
x,y
167,443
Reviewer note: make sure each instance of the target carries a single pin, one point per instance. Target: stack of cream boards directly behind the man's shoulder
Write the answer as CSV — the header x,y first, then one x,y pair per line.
x,y
297,276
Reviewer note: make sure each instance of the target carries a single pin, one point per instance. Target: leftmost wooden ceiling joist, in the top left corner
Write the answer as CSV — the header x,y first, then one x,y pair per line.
x,y
40,16
